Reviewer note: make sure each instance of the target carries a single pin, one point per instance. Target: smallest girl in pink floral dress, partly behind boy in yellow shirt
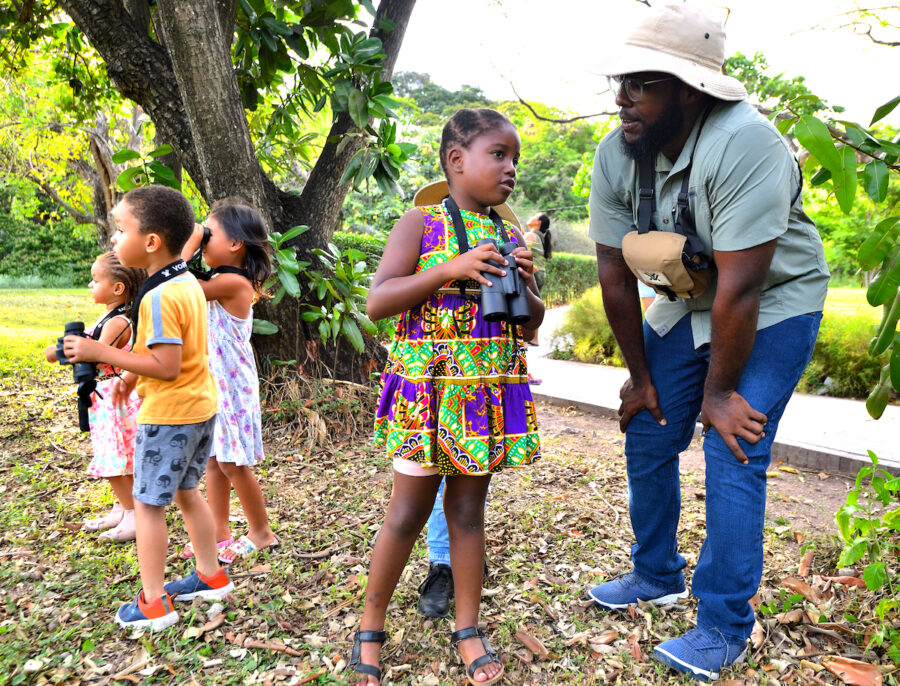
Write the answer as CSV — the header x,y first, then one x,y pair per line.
x,y
113,427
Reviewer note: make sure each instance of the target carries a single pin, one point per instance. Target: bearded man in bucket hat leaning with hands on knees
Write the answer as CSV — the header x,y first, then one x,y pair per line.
x,y
694,164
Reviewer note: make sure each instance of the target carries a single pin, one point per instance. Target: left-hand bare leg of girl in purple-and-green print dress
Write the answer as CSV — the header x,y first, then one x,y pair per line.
x,y
411,502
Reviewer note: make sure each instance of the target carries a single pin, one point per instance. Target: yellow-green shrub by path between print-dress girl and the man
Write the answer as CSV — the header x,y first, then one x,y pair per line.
x,y
585,334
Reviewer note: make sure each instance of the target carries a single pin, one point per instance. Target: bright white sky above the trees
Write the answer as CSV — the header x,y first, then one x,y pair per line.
x,y
547,47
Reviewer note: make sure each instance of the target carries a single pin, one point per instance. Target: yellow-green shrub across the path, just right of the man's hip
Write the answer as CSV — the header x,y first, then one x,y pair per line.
x,y
841,363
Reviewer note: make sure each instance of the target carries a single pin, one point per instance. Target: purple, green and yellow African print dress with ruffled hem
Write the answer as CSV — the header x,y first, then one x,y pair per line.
x,y
455,390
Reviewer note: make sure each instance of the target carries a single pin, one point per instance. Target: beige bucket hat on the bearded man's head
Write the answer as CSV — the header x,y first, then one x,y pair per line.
x,y
677,40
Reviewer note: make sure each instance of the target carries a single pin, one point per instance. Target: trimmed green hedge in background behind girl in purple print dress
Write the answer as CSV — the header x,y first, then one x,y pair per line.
x,y
568,275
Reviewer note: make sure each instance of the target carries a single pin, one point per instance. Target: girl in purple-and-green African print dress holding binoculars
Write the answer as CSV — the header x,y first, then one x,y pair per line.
x,y
455,401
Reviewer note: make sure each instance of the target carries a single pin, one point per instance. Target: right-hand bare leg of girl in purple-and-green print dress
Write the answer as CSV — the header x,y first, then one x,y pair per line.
x,y
464,498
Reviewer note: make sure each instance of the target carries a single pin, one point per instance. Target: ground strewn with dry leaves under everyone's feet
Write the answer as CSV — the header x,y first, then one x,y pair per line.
x,y
553,530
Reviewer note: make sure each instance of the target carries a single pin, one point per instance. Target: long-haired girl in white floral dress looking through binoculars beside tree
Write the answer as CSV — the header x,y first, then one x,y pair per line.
x,y
237,253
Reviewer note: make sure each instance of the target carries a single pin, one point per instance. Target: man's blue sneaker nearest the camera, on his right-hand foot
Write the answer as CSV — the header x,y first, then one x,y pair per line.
x,y
701,653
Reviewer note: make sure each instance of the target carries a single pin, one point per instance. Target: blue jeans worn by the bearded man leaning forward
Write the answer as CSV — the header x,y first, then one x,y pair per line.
x,y
730,564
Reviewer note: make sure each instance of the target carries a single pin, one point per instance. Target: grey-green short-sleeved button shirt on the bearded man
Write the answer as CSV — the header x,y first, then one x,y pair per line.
x,y
741,184
